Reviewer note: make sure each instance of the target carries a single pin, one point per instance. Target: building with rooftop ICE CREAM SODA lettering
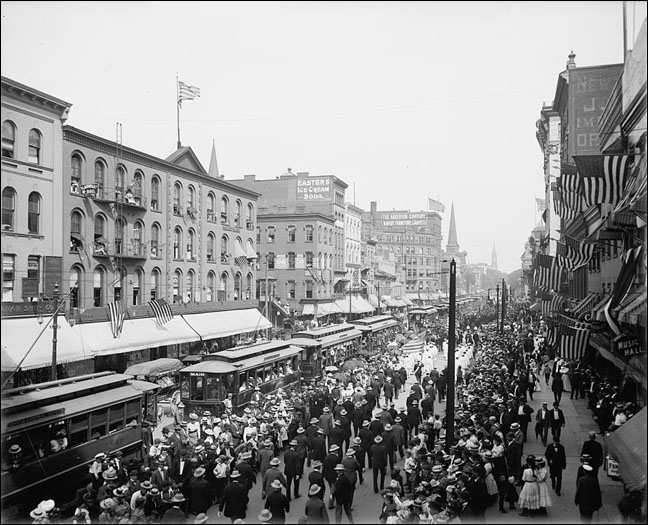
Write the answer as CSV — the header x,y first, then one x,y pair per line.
x,y
301,216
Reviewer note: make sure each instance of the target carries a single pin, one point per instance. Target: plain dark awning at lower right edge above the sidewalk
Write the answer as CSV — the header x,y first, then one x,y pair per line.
x,y
628,445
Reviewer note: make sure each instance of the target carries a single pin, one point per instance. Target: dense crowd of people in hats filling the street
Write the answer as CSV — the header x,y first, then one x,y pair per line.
x,y
347,431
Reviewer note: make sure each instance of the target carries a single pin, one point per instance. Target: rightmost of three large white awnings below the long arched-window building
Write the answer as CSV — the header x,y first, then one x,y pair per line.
x,y
211,325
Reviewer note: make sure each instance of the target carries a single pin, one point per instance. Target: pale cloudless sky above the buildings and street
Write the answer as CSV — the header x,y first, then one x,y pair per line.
x,y
400,100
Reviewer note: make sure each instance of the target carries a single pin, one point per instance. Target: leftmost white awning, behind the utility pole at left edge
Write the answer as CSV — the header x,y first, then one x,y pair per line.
x,y
18,334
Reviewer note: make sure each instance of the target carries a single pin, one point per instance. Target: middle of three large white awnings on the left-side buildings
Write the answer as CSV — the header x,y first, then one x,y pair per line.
x,y
137,334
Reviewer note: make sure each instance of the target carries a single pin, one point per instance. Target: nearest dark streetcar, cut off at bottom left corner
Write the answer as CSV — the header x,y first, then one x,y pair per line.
x,y
52,431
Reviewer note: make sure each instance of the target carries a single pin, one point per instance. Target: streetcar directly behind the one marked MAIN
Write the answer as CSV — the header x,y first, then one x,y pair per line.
x,y
326,346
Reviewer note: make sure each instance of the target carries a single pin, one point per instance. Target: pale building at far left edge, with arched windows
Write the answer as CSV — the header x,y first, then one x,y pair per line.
x,y
32,168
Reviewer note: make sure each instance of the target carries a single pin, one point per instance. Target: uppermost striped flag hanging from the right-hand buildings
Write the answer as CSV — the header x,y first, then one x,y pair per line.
x,y
603,177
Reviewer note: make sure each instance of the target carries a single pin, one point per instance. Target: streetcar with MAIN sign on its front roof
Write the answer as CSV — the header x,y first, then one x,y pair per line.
x,y
242,371
